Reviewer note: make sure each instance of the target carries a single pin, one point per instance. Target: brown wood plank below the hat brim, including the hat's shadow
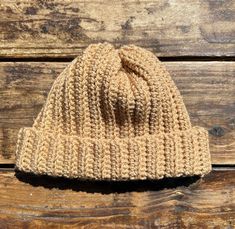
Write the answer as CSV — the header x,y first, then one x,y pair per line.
x,y
41,202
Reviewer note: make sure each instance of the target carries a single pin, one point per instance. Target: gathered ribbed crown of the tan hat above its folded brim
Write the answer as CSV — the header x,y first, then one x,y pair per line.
x,y
107,92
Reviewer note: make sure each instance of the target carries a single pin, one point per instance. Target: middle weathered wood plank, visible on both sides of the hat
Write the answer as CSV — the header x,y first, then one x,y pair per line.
x,y
208,89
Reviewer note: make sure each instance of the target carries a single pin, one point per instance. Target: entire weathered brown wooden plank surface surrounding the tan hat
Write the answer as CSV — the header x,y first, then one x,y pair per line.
x,y
196,42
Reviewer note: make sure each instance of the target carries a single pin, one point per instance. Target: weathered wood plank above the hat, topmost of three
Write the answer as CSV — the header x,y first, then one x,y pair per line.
x,y
62,28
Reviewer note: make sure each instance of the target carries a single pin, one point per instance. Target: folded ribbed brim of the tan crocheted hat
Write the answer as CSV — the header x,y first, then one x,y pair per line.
x,y
181,153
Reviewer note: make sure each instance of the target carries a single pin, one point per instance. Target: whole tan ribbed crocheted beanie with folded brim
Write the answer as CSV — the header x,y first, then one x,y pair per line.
x,y
114,114
